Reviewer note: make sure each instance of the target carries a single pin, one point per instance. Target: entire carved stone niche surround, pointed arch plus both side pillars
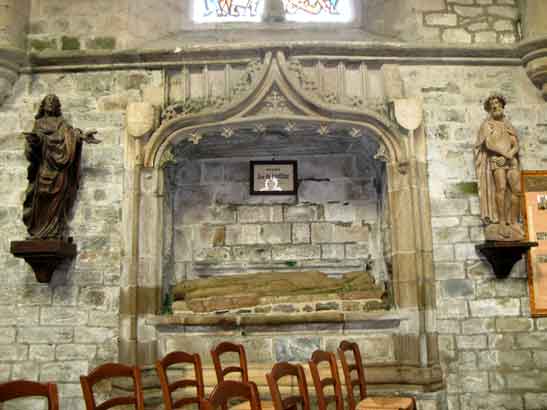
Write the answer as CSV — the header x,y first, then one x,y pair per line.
x,y
276,93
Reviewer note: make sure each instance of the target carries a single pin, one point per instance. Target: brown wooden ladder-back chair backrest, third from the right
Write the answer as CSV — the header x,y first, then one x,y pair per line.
x,y
283,369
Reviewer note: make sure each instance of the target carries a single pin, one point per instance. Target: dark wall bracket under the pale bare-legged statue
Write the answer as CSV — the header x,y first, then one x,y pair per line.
x,y
502,255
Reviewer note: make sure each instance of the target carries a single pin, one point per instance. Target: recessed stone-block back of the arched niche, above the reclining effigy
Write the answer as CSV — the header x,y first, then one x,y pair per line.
x,y
337,208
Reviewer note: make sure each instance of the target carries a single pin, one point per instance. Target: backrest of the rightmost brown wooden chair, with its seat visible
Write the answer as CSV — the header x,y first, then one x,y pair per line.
x,y
354,374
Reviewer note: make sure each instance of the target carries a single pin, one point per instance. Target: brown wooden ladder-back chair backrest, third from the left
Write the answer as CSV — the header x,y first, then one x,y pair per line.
x,y
167,388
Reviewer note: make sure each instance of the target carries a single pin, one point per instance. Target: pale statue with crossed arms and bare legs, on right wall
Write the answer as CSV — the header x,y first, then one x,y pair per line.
x,y
498,174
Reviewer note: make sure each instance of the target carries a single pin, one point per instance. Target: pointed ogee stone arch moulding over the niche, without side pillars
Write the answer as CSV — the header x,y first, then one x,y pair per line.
x,y
275,78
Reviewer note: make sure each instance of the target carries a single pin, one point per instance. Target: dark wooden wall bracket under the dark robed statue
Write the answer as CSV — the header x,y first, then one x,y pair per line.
x,y
43,255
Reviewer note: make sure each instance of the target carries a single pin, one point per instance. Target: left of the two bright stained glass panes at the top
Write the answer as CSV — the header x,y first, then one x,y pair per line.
x,y
218,11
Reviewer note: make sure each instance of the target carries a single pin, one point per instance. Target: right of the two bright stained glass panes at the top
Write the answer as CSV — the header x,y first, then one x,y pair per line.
x,y
318,10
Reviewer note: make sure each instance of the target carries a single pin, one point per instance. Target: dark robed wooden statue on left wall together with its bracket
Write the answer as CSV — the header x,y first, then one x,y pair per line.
x,y
54,150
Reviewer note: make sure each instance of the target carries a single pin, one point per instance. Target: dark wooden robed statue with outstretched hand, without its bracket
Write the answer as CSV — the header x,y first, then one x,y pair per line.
x,y
53,149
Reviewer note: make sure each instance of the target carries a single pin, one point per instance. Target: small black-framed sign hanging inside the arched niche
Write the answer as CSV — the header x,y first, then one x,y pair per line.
x,y
273,177
